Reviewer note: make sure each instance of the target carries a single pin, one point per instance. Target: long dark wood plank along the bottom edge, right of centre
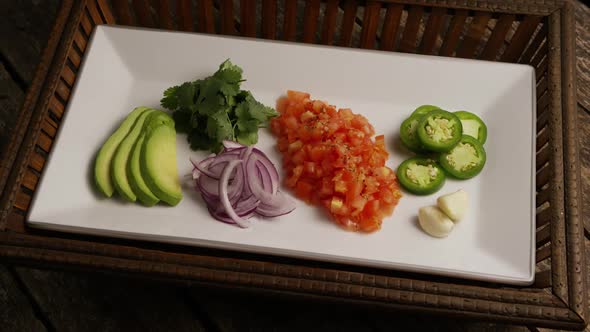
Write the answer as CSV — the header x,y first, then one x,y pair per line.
x,y
280,313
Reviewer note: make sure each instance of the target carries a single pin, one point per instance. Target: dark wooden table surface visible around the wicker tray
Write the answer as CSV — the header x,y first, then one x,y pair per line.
x,y
46,300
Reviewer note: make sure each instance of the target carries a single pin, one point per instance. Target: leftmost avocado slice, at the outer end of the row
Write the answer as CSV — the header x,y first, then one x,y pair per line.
x,y
102,165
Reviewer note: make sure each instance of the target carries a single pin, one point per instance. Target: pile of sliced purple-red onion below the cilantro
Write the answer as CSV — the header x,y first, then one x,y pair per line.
x,y
239,182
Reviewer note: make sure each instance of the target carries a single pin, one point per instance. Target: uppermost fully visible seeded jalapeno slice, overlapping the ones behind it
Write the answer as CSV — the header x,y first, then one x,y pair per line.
x,y
439,130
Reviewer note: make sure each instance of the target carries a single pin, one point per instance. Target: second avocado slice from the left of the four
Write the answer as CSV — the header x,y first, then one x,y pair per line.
x,y
121,158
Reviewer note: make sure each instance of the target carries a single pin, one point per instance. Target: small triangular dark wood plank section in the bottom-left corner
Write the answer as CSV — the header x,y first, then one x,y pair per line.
x,y
16,312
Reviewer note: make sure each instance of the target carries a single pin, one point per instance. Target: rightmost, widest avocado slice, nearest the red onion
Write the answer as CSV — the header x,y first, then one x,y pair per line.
x,y
158,159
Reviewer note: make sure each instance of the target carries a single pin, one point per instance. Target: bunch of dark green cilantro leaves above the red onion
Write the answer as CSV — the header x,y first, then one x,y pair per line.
x,y
215,109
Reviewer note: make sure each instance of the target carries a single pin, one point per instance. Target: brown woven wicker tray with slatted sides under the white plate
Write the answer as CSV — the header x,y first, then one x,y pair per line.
x,y
539,33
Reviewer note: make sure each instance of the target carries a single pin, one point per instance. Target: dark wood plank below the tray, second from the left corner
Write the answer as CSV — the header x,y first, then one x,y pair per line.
x,y
107,303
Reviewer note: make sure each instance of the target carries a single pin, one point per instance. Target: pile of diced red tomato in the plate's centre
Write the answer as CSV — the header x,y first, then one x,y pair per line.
x,y
331,160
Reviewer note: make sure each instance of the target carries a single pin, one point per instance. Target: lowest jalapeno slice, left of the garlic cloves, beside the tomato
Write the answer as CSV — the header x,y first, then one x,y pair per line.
x,y
421,176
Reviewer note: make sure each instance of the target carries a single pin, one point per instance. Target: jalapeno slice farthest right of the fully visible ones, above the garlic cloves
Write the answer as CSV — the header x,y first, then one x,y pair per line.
x,y
465,160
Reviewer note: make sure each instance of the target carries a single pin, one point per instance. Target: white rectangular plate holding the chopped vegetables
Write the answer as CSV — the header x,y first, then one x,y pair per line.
x,y
125,68
